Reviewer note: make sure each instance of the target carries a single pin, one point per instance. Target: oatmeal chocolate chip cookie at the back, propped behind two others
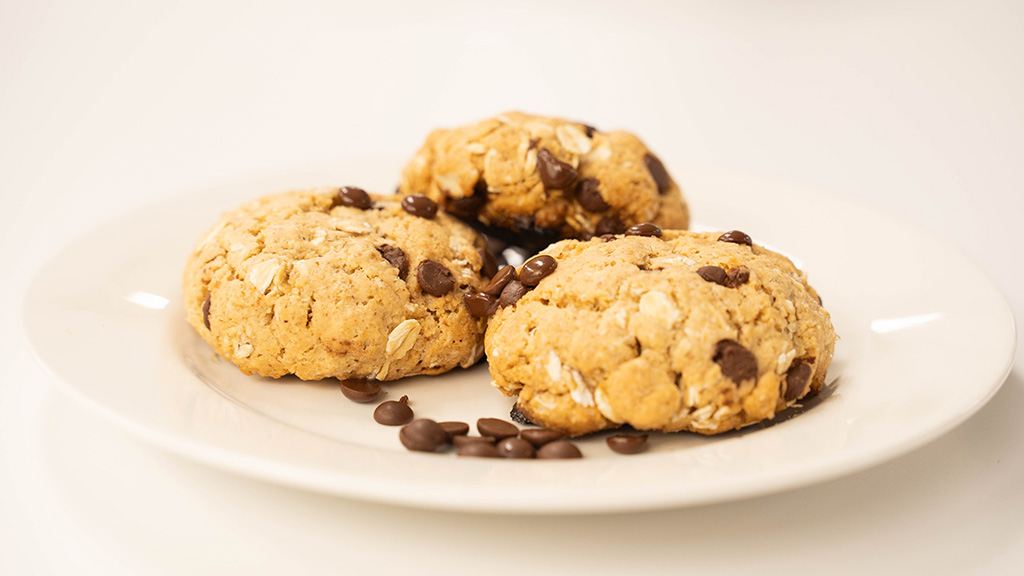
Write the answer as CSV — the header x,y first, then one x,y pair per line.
x,y
532,181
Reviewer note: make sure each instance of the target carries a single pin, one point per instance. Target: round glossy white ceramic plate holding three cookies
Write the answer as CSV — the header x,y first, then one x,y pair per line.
x,y
926,342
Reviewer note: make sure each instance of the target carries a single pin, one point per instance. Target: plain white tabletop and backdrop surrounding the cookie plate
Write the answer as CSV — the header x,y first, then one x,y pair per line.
x,y
916,109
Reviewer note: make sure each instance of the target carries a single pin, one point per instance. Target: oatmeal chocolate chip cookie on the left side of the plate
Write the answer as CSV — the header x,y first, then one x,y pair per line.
x,y
328,283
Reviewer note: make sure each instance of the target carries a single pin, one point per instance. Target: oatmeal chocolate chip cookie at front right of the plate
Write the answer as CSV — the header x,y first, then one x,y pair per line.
x,y
682,332
